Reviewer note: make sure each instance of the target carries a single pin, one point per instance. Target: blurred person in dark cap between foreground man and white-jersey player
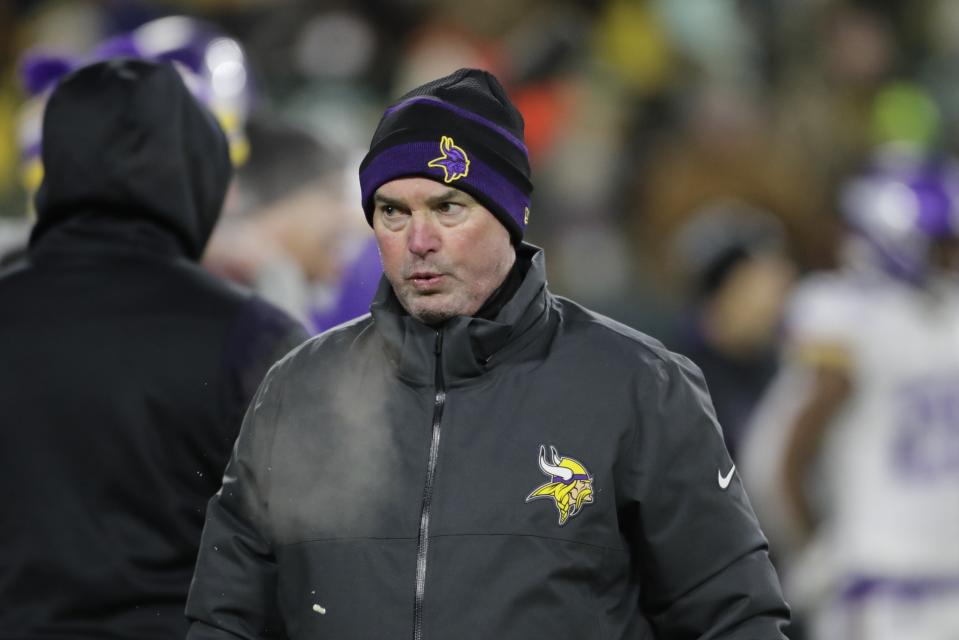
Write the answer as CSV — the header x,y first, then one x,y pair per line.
x,y
738,273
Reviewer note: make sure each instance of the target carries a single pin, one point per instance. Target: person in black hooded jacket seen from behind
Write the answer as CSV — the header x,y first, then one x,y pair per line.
x,y
125,367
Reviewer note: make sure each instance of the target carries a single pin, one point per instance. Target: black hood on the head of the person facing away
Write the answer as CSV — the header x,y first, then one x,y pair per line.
x,y
126,139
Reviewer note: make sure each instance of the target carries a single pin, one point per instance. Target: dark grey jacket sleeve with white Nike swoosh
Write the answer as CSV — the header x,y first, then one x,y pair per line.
x,y
701,557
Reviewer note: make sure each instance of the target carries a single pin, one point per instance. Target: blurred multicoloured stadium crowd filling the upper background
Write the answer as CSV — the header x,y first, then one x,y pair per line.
x,y
638,113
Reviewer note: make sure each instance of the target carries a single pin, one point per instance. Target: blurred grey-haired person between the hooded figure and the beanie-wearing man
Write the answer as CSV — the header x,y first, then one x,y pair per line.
x,y
287,233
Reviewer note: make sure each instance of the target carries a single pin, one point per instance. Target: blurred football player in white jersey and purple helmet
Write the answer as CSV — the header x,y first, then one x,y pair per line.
x,y
852,458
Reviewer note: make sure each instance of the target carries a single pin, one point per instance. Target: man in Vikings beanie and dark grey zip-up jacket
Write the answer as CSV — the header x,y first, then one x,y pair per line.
x,y
478,458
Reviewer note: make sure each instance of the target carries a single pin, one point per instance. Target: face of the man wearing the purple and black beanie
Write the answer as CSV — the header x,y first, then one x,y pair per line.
x,y
443,252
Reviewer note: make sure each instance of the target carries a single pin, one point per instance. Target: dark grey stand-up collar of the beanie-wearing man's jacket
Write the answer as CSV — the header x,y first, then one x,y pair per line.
x,y
471,346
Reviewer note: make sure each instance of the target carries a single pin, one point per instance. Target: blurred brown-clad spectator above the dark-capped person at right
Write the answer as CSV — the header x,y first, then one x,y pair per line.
x,y
723,148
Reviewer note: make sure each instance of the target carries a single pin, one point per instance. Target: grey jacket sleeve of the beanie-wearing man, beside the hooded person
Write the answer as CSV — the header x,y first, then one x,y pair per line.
x,y
233,593
